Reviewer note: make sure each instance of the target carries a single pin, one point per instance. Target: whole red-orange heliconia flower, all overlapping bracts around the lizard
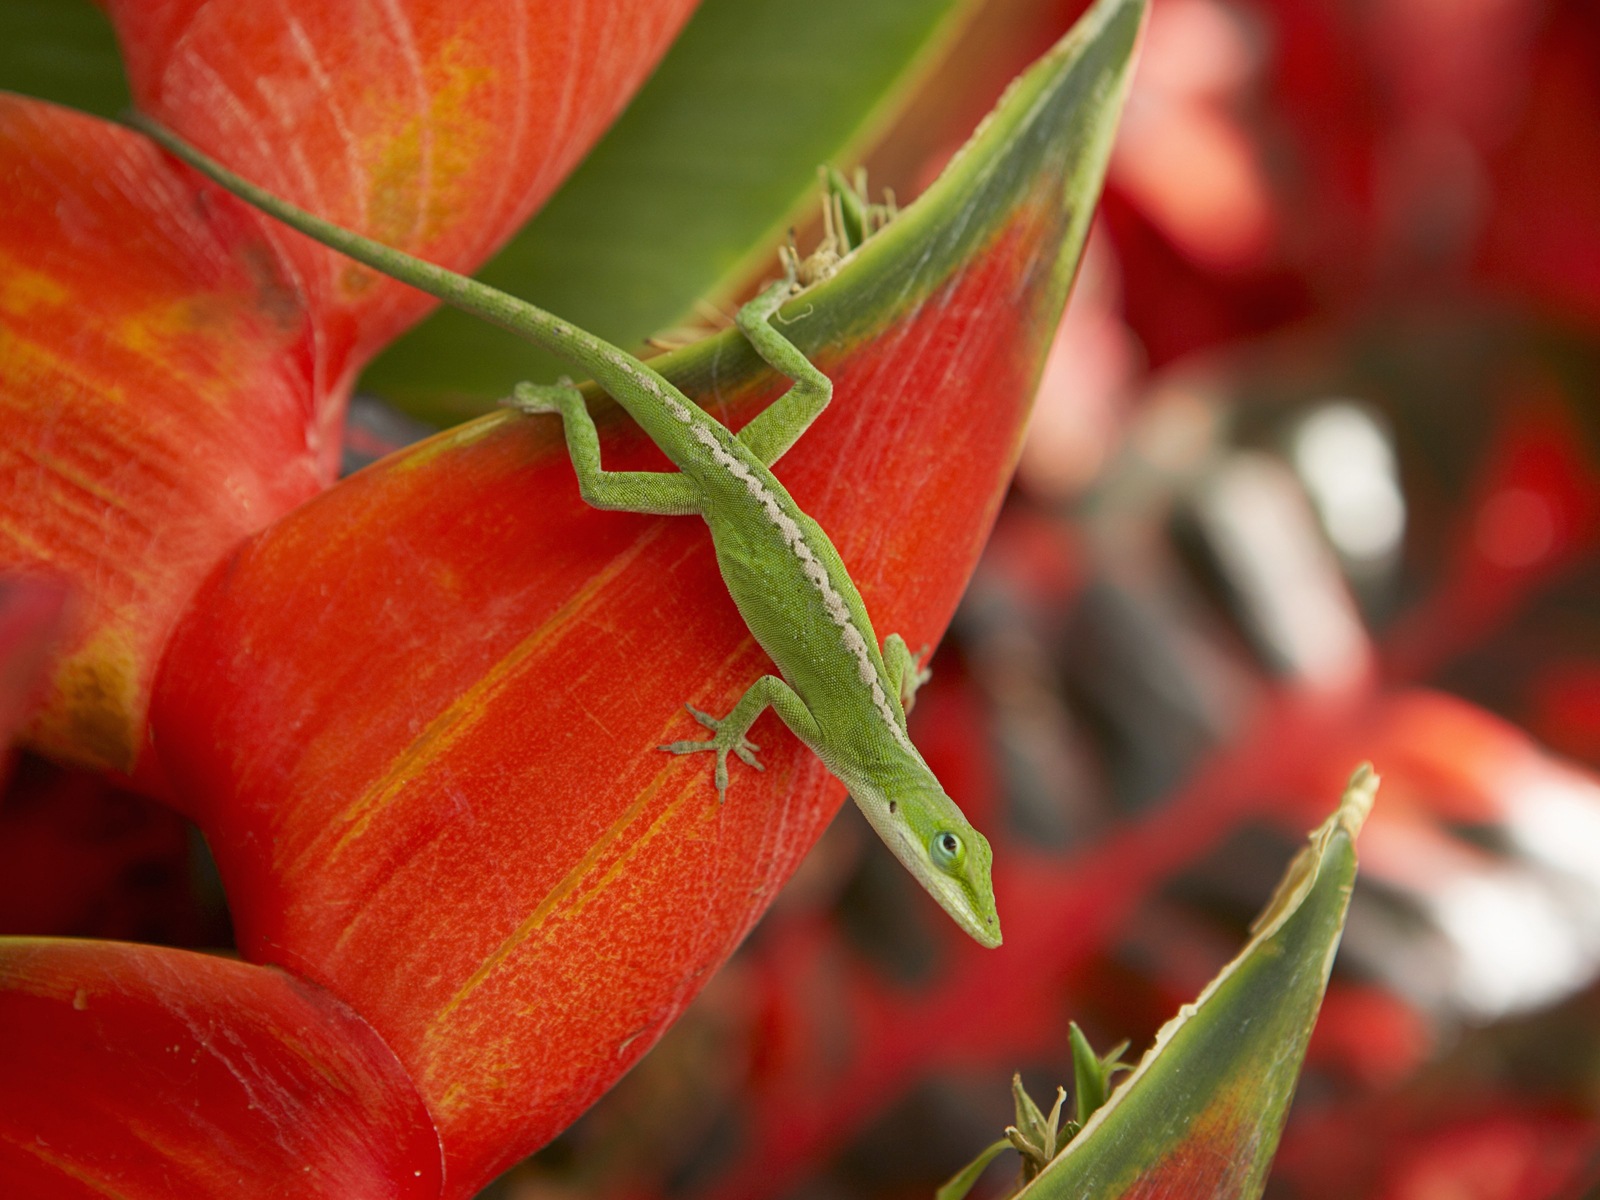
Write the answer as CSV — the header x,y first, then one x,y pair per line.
x,y
415,713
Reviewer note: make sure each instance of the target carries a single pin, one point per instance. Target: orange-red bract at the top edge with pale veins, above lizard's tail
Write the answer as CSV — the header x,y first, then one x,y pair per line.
x,y
431,127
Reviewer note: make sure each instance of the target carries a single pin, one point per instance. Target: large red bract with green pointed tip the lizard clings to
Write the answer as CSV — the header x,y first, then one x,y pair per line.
x,y
417,716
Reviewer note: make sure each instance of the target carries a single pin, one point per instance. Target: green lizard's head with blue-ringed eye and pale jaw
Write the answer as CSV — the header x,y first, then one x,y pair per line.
x,y
938,846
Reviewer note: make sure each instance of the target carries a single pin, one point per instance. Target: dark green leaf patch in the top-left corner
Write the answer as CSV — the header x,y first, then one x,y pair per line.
x,y
63,52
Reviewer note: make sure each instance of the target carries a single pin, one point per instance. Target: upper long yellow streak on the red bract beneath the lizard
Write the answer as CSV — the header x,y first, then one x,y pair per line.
x,y
470,710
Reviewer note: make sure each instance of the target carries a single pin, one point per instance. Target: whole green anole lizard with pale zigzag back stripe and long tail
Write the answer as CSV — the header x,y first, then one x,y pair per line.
x,y
839,694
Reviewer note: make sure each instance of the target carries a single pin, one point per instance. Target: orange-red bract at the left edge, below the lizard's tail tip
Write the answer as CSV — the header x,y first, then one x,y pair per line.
x,y
154,402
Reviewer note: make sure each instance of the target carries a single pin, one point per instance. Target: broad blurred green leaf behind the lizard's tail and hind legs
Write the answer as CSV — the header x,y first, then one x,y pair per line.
x,y
690,190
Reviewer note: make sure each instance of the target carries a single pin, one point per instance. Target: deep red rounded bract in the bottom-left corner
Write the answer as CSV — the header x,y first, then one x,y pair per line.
x,y
146,1073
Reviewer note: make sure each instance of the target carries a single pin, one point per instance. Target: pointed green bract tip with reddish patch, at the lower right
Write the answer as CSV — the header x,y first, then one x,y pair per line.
x,y
1202,1113
